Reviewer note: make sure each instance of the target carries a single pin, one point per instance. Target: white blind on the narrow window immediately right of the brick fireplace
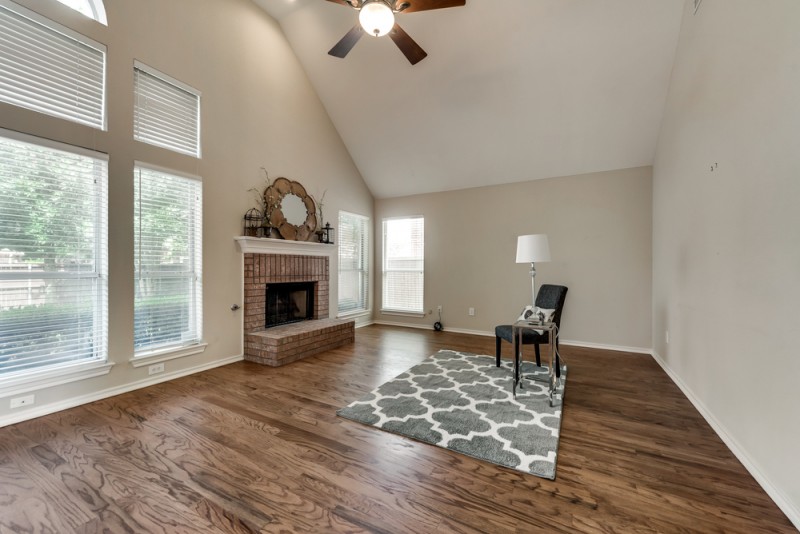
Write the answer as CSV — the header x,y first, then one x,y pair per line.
x,y
353,263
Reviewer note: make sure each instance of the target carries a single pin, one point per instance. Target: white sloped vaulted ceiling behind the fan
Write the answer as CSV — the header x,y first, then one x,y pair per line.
x,y
511,90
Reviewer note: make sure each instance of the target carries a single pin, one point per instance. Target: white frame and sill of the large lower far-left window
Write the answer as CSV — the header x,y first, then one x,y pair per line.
x,y
42,376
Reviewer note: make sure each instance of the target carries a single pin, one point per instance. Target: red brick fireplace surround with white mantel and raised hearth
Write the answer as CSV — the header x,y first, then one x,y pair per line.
x,y
273,261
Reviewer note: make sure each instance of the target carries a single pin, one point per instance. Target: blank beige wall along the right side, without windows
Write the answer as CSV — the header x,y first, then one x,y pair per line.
x,y
727,241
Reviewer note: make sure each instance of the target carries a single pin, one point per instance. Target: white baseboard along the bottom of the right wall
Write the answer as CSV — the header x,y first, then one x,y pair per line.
x,y
786,506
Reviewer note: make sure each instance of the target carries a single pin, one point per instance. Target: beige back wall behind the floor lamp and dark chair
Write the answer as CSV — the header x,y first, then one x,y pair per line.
x,y
599,228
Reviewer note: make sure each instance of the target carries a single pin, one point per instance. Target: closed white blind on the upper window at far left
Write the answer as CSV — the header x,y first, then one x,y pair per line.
x,y
49,68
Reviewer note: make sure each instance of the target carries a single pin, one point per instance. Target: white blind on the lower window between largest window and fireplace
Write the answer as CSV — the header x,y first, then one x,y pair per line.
x,y
168,259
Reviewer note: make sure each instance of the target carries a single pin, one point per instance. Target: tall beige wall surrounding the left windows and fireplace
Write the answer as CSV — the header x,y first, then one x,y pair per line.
x,y
258,109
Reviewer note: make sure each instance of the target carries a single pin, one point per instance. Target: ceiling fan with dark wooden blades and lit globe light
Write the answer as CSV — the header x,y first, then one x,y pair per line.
x,y
376,17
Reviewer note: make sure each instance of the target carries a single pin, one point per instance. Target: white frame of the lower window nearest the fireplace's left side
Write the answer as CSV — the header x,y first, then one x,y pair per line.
x,y
194,345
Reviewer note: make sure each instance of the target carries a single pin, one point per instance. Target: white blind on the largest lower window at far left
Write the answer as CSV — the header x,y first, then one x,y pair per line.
x,y
53,254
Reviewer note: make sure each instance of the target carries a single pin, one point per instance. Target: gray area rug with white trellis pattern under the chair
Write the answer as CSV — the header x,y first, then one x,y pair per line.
x,y
463,402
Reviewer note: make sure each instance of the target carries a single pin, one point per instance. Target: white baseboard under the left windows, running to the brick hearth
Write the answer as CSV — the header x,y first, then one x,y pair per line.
x,y
33,413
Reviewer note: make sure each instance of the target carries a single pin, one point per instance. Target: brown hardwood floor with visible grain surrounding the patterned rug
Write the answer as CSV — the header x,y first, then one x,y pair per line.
x,y
246,448
